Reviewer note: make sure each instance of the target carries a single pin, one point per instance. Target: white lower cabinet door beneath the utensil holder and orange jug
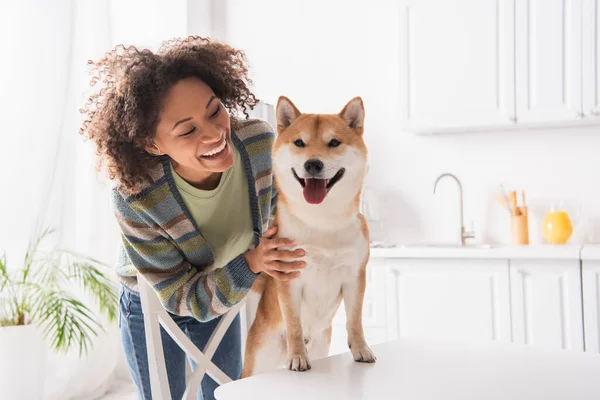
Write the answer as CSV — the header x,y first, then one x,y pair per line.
x,y
546,303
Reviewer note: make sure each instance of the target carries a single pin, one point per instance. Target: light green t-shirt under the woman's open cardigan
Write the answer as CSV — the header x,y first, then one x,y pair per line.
x,y
223,214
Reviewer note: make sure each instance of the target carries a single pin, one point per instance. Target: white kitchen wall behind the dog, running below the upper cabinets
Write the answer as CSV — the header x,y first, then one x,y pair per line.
x,y
321,54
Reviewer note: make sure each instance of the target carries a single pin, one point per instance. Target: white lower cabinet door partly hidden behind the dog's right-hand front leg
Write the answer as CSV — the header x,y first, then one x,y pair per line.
x,y
374,311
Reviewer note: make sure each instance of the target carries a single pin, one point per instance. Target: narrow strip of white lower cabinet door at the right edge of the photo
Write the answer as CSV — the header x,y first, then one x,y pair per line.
x,y
591,304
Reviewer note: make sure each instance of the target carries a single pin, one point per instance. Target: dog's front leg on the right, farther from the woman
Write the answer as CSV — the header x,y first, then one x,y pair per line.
x,y
354,291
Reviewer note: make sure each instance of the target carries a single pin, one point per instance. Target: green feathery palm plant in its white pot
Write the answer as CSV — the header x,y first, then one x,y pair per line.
x,y
40,308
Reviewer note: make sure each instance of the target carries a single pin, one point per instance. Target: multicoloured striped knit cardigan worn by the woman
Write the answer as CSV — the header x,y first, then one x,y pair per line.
x,y
161,241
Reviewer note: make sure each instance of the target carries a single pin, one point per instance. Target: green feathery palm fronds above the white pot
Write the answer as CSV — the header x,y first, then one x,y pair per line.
x,y
39,291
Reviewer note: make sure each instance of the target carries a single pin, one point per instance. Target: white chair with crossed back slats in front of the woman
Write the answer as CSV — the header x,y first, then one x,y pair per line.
x,y
156,316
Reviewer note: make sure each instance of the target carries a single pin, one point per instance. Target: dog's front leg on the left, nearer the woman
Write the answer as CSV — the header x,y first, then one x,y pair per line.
x,y
290,298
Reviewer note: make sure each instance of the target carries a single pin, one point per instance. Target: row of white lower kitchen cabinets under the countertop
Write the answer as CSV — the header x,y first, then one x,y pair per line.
x,y
528,300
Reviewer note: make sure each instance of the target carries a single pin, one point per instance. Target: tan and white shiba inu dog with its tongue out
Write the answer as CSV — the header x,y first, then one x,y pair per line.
x,y
319,163
